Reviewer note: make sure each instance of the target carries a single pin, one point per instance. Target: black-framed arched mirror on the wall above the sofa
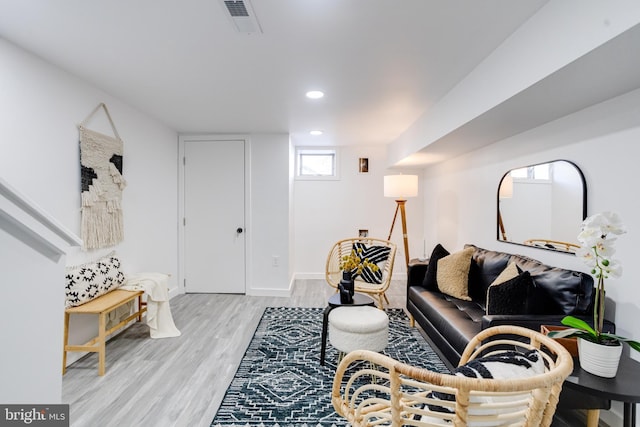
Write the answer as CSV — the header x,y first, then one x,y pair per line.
x,y
542,205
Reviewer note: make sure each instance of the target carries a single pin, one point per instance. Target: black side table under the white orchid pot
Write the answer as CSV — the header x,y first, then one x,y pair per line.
x,y
624,387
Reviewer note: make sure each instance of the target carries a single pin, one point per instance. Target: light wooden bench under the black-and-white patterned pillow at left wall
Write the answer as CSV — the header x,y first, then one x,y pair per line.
x,y
101,306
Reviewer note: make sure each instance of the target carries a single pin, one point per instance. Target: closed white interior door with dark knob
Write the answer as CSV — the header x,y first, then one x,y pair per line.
x,y
214,242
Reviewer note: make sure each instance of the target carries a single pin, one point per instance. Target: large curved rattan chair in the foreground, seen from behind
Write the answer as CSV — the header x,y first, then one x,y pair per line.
x,y
396,394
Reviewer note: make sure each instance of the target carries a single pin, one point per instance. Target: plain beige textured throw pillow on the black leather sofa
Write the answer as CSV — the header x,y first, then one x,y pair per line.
x,y
453,274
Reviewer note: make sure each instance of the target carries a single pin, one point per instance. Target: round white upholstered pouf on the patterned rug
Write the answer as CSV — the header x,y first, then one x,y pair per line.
x,y
358,328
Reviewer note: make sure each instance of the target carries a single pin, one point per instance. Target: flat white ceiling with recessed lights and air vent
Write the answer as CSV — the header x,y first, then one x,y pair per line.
x,y
381,63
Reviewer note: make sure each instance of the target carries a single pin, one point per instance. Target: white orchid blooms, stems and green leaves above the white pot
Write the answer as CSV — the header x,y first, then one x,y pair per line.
x,y
597,238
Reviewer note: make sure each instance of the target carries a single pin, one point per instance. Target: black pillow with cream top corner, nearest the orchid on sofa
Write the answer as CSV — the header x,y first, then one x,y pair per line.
x,y
509,293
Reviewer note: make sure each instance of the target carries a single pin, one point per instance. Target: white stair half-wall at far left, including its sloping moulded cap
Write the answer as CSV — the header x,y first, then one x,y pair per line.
x,y
33,250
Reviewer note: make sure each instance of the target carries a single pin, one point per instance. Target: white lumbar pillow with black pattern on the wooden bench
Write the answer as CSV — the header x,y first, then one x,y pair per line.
x,y
90,280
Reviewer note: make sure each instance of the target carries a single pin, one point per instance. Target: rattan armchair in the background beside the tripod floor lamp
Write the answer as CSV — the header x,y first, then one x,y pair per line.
x,y
333,273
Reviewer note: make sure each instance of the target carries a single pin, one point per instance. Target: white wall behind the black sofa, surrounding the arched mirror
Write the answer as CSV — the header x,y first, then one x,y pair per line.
x,y
602,140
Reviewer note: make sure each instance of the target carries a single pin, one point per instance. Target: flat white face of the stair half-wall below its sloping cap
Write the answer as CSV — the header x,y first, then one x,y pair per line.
x,y
31,359
